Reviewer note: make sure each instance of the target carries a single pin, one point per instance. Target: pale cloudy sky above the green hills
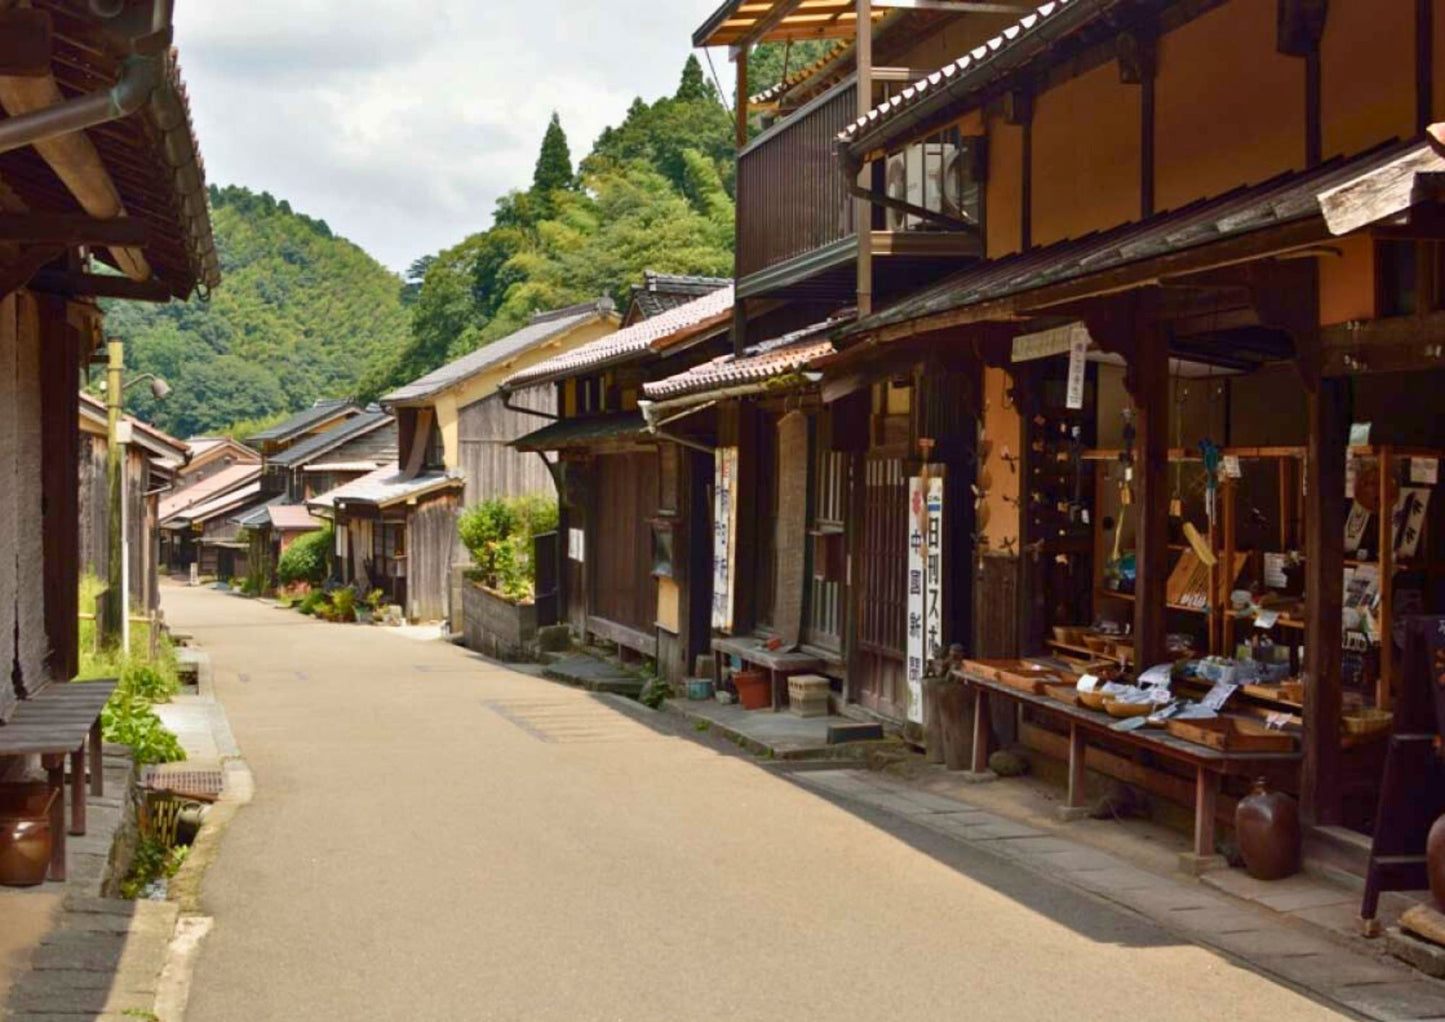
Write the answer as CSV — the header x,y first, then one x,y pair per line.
x,y
401,124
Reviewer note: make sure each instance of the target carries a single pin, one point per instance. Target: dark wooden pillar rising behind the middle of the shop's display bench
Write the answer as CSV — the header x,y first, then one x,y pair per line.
x,y
1149,387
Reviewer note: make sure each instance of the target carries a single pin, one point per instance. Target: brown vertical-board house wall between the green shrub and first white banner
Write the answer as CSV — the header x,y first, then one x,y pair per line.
x,y
621,543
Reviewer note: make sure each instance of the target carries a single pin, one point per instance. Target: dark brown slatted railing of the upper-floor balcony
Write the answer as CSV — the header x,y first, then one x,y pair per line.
x,y
793,196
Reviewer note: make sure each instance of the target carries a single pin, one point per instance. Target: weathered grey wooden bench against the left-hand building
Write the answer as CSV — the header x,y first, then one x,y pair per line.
x,y
63,722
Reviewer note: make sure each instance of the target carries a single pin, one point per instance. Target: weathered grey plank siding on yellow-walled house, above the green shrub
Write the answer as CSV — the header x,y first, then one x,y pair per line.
x,y
492,468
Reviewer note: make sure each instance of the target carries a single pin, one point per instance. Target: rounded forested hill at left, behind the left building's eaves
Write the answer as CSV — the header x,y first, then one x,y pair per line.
x,y
301,314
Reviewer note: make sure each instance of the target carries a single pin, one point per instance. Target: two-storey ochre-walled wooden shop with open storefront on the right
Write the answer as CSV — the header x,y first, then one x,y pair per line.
x,y
1200,291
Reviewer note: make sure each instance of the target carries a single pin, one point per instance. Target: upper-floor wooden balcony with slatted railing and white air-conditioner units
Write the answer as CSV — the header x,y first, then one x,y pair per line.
x,y
797,232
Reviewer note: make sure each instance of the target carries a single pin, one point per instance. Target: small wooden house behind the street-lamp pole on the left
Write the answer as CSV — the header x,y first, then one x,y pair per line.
x,y
154,462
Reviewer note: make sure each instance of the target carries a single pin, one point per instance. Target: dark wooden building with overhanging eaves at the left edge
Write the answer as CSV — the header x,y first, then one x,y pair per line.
x,y
98,164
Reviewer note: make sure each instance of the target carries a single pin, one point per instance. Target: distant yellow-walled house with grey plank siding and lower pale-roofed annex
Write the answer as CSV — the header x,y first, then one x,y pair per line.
x,y
397,528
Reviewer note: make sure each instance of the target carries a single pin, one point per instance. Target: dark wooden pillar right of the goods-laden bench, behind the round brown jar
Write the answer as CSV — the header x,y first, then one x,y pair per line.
x,y
1324,595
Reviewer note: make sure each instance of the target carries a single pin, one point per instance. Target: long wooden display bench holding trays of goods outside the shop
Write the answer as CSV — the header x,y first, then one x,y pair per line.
x,y
1210,765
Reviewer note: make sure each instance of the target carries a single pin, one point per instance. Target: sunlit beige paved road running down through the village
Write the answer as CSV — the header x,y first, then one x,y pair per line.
x,y
436,838
